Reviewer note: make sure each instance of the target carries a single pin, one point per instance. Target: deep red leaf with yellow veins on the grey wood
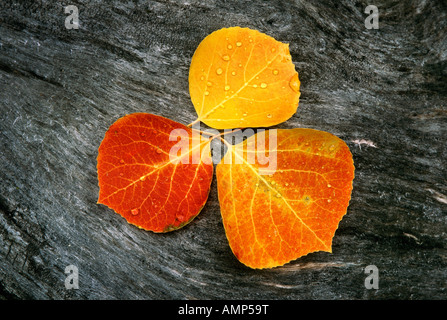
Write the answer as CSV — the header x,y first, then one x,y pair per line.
x,y
144,180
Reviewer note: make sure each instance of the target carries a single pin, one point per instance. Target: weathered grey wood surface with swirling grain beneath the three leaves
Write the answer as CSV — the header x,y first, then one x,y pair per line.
x,y
61,89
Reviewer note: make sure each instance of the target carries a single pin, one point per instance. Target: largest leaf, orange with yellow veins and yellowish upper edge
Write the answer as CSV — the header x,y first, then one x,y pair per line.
x,y
275,214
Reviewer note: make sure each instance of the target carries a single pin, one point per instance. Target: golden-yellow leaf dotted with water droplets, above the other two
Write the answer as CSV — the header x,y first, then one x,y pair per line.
x,y
243,78
